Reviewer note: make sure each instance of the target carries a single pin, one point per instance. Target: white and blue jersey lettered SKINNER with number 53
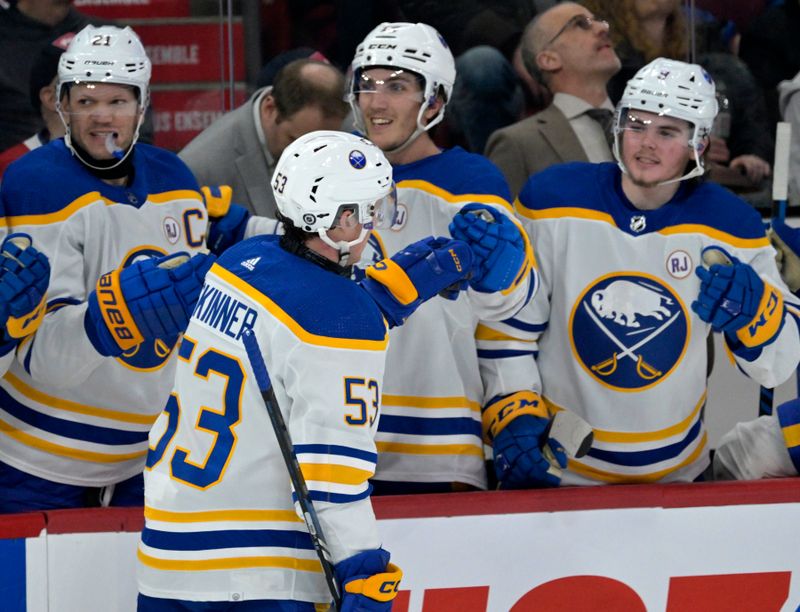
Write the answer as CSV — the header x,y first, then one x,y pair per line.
x,y
217,492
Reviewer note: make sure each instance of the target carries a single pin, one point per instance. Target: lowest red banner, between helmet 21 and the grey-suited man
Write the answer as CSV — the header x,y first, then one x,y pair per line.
x,y
180,115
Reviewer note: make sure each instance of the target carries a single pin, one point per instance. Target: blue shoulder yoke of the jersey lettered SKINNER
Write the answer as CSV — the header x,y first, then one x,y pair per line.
x,y
320,301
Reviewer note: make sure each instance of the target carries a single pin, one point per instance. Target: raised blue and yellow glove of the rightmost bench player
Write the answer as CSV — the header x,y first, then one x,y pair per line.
x,y
734,300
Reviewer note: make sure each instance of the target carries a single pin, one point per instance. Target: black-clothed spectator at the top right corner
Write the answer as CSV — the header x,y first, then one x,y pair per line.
x,y
770,49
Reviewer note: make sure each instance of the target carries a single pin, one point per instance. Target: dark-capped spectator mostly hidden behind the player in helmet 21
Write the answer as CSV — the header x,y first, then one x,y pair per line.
x,y
43,99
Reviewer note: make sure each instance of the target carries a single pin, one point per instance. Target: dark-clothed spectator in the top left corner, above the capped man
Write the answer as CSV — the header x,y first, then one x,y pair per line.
x,y
26,27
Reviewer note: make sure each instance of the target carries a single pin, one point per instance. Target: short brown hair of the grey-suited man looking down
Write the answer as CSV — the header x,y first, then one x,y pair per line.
x,y
293,90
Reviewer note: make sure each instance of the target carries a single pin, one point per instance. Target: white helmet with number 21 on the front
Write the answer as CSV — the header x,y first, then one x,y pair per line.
x,y
105,54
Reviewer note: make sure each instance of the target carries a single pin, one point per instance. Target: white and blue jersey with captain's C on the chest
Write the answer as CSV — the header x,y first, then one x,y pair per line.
x,y
67,413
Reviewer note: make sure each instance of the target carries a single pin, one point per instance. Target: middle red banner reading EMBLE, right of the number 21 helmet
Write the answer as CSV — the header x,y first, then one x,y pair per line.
x,y
190,52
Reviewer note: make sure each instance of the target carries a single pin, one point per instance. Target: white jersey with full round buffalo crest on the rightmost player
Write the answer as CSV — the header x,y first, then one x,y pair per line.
x,y
618,342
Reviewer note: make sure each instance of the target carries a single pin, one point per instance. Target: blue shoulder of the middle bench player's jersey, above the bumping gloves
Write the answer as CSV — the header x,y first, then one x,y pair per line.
x,y
458,172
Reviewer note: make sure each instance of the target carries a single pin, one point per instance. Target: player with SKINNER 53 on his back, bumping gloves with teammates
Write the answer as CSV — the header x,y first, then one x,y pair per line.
x,y
220,520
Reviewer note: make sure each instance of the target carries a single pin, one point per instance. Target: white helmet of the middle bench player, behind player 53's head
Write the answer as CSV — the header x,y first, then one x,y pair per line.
x,y
416,47
